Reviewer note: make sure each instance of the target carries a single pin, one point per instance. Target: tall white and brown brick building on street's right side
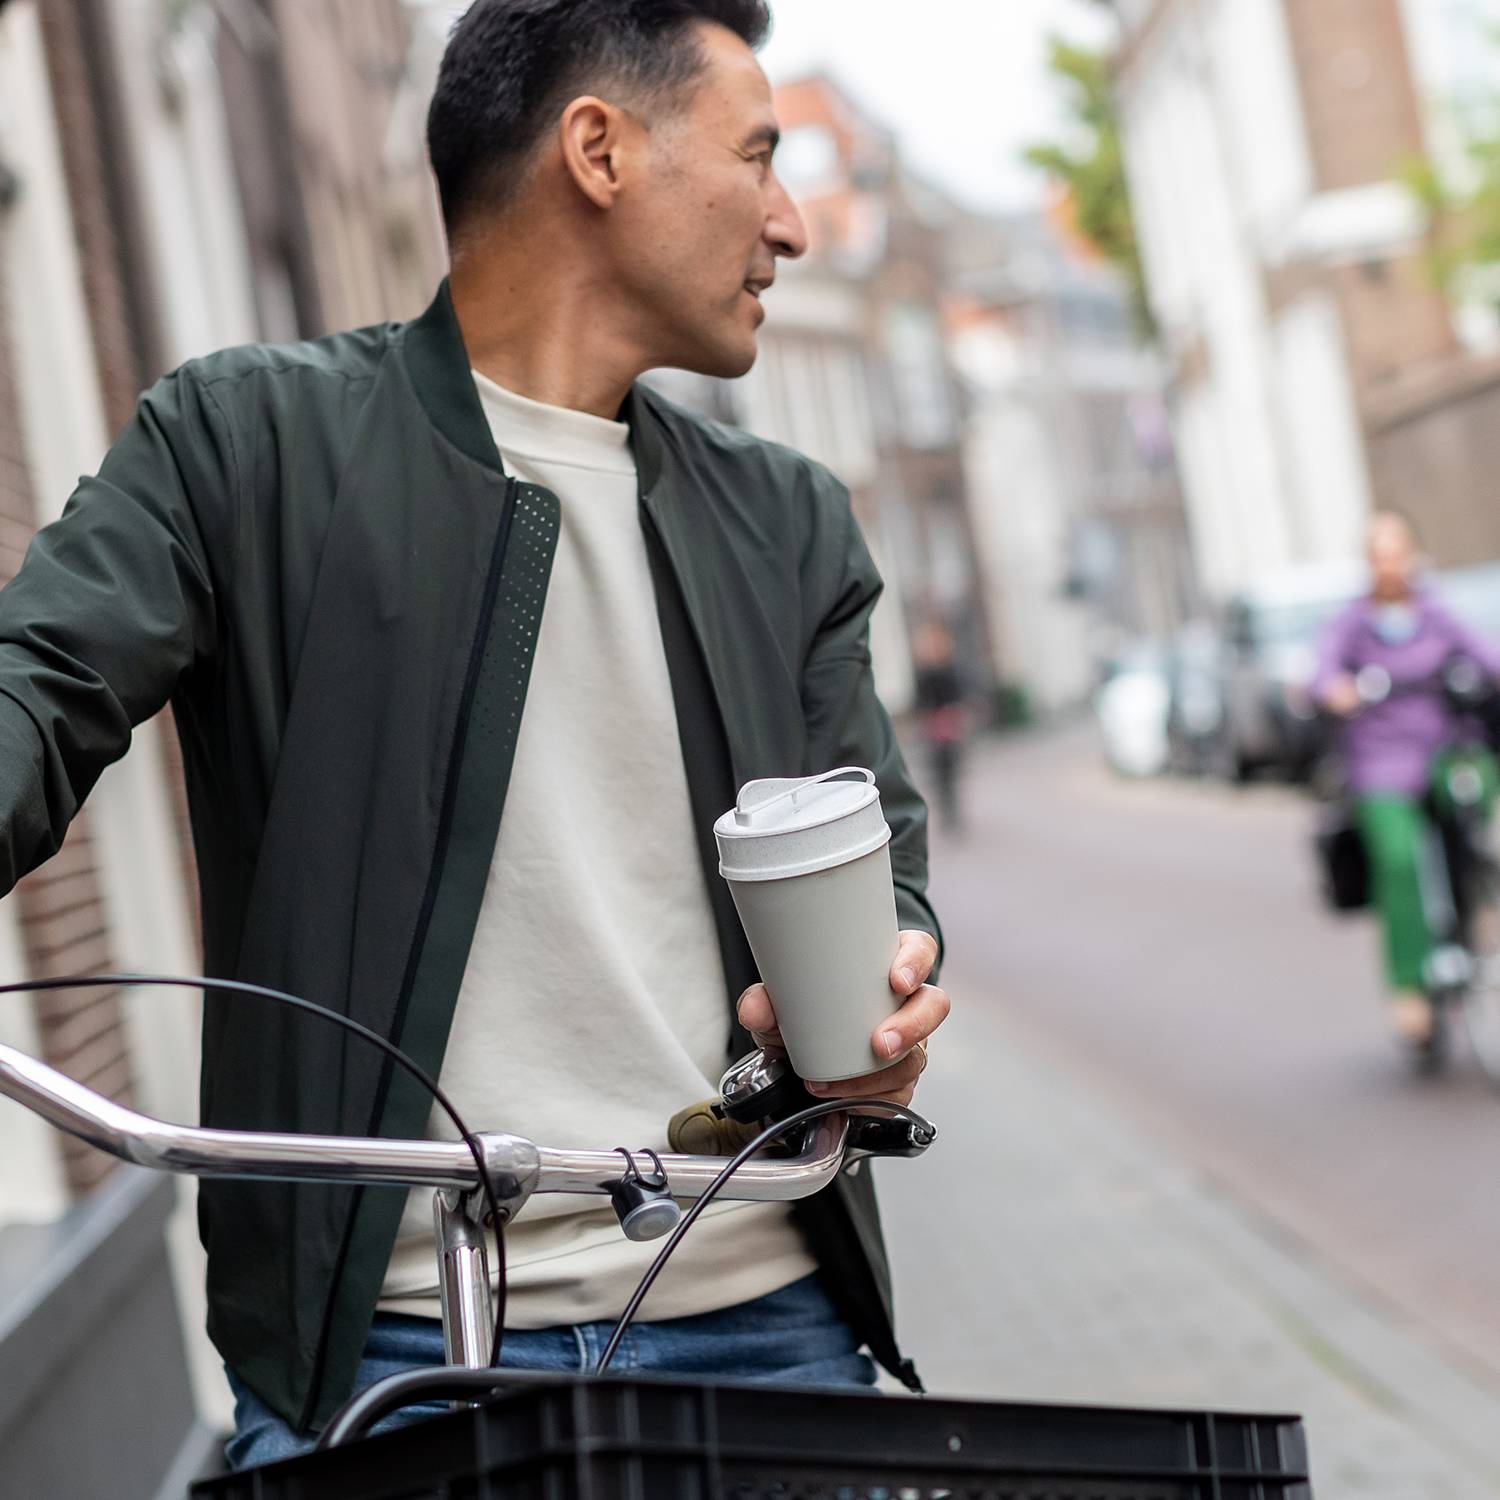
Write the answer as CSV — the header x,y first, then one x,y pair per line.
x,y
1318,370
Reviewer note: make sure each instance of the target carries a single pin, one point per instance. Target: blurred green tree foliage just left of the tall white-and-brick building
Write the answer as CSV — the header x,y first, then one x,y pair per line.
x,y
1091,166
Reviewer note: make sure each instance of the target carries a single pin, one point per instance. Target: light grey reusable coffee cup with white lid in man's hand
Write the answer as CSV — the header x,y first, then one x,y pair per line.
x,y
809,865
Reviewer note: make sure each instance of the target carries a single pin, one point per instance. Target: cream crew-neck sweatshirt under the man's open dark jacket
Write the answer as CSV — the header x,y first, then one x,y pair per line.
x,y
593,1007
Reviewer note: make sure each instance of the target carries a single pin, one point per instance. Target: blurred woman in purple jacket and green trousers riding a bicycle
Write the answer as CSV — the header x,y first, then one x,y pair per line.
x,y
1393,748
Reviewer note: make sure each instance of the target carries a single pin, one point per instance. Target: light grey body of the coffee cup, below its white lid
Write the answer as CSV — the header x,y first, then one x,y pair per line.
x,y
824,944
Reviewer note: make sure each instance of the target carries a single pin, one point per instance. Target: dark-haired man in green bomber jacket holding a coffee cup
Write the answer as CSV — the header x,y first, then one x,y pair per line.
x,y
470,638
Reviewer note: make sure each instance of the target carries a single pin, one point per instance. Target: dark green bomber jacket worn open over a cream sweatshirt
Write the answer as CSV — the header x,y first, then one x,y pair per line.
x,y
316,556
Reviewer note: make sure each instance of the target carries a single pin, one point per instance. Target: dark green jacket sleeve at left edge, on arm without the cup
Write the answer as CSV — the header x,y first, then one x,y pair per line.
x,y
109,611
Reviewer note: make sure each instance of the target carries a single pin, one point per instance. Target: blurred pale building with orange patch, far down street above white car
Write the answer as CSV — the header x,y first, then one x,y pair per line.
x,y
1078,515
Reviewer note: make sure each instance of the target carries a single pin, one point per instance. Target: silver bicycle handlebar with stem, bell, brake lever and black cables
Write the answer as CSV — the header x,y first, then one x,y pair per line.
x,y
487,1178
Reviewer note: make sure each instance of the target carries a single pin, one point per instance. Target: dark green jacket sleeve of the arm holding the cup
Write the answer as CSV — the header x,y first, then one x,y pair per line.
x,y
848,725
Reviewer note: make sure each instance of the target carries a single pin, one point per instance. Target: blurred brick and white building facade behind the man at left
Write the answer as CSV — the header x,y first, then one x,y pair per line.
x,y
176,176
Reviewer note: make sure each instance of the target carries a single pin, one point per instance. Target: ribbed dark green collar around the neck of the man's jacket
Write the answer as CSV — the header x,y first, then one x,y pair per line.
x,y
440,371
